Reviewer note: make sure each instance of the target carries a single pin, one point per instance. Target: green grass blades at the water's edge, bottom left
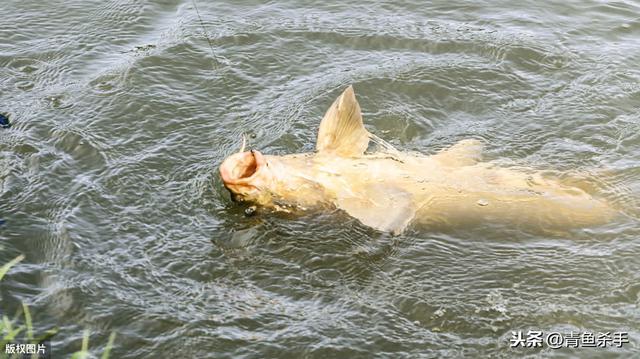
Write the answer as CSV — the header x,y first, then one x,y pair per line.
x,y
12,328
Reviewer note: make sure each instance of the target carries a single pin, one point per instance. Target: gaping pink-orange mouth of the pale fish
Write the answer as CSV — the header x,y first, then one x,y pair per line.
x,y
241,168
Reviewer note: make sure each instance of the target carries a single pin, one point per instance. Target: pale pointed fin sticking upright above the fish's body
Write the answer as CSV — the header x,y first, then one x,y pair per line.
x,y
341,130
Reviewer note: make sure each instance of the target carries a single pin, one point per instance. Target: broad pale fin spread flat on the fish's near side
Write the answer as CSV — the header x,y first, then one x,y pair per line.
x,y
383,207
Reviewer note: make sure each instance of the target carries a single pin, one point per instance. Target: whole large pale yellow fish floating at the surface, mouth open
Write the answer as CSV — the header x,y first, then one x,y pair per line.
x,y
388,190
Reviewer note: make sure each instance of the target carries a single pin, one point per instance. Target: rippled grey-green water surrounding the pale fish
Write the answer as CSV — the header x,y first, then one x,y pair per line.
x,y
121,115
